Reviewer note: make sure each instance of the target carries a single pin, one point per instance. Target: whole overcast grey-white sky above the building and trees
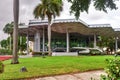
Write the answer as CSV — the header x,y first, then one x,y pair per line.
x,y
26,14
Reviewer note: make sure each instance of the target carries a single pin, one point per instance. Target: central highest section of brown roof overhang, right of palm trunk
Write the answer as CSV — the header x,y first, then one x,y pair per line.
x,y
72,25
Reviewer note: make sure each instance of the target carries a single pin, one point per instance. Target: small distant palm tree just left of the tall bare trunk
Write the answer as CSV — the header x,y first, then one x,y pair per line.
x,y
9,30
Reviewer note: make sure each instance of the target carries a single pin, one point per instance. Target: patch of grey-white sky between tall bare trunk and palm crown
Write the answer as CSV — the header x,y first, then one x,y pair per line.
x,y
26,10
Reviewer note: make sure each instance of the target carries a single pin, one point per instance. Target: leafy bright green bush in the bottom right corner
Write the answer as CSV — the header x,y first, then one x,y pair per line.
x,y
112,70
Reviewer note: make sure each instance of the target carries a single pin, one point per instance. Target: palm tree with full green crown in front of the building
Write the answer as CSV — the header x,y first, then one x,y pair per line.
x,y
49,9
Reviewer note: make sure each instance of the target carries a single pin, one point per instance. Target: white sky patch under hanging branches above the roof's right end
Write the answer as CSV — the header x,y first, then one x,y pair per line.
x,y
100,17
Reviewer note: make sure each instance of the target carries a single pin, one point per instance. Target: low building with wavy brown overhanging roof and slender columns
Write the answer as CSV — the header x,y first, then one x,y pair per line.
x,y
65,33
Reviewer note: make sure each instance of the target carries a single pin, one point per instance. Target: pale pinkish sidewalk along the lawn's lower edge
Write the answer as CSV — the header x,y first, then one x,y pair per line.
x,y
78,76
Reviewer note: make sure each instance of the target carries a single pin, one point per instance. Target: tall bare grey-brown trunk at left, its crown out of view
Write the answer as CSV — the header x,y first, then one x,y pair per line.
x,y
15,31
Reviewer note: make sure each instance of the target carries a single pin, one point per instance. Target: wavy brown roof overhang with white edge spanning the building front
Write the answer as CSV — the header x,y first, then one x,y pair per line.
x,y
72,25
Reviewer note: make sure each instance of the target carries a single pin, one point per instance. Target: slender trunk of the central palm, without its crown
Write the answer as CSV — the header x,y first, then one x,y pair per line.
x,y
49,38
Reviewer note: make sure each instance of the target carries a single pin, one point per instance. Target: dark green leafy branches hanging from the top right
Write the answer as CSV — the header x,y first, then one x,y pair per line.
x,y
79,6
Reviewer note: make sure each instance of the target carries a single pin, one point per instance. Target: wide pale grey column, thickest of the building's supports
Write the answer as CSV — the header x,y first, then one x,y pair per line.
x,y
37,42
